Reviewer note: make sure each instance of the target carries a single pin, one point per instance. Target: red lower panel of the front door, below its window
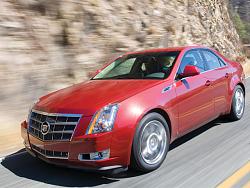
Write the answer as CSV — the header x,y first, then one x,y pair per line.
x,y
195,102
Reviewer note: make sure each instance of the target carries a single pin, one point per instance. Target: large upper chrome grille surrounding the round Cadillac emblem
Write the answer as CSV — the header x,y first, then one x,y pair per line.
x,y
61,126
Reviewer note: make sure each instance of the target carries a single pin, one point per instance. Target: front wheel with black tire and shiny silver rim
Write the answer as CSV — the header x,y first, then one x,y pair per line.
x,y
147,138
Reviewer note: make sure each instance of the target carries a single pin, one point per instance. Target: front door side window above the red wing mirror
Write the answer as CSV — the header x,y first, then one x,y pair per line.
x,y
192,58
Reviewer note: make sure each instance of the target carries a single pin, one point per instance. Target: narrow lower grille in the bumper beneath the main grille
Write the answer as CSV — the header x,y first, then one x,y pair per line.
x,y
50,153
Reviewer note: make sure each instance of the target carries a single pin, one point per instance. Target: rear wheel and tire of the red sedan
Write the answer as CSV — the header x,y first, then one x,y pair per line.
x,y
238,104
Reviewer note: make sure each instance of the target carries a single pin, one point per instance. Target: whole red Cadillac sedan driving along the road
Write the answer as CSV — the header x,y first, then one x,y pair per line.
x,y
131,110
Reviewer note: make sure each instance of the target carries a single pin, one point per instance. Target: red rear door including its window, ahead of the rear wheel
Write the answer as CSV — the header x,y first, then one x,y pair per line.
x,y
218,74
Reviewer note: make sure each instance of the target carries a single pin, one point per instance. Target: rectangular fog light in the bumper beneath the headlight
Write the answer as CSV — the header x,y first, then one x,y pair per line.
x,y
99,155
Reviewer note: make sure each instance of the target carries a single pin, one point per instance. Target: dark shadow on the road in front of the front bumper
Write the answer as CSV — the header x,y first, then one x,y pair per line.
x,y
26,166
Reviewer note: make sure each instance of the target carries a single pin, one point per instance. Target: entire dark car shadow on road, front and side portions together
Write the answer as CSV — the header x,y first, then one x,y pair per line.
x,y
24,165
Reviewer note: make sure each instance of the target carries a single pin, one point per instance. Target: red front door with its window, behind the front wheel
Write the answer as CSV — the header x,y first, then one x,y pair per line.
x,y
195,101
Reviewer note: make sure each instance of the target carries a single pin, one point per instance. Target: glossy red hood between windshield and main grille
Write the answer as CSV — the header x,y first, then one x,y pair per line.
x,y
88,97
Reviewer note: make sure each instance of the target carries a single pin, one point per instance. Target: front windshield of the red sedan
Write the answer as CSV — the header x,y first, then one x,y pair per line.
x,y
140,66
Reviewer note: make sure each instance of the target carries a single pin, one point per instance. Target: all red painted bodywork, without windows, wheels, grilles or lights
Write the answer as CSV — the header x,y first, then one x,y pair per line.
x,y
189,103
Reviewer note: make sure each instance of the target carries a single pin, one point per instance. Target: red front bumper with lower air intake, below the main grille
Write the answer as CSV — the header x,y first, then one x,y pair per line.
x,y
67,153
